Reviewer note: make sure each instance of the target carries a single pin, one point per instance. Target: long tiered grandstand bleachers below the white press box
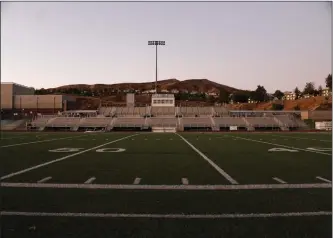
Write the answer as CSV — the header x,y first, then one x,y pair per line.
x,y
217,118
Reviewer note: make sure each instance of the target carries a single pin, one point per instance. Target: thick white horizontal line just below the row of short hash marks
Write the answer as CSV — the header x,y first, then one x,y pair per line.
x,y
166,187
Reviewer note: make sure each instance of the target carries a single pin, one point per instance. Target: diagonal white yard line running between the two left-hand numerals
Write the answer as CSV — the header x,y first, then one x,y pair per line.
x,y
62,158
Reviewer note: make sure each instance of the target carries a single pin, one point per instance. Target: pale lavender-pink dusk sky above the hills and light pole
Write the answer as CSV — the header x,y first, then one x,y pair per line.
x,y
278,45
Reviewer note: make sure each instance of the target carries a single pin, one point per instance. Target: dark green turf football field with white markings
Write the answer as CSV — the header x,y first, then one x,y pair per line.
x,y
166,185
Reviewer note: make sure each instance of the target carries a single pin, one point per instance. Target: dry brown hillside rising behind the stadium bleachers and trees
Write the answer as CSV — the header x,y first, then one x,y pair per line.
x,y
107,94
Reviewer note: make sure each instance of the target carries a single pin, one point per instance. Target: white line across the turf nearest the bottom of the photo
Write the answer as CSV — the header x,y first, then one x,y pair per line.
x,y
170,216
